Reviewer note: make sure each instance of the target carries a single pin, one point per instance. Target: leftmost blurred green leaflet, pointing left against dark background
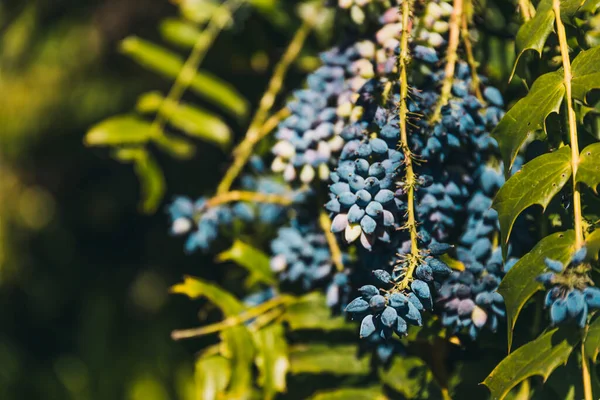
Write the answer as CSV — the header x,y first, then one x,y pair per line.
x,y
118,130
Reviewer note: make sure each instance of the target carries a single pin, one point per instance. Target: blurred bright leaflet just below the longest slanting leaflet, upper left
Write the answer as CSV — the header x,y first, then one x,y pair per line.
x,y
192,120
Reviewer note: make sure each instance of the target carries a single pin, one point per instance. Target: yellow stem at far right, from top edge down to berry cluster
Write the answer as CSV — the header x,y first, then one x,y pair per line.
x,y
572,118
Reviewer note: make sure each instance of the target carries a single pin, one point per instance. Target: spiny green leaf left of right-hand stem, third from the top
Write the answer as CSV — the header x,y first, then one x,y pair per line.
x,y
537,183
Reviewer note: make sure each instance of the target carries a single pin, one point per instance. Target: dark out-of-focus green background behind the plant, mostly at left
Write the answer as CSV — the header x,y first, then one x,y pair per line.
x,y
84,275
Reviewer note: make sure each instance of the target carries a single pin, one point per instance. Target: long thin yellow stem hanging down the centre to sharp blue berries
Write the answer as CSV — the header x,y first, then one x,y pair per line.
x,y
411,223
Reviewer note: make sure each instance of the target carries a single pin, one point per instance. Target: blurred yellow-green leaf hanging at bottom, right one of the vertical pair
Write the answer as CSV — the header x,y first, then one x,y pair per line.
x,y
271,359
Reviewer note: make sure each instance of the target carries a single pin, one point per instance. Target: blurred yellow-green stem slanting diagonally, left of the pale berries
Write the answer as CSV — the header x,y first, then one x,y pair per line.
x,y
253,135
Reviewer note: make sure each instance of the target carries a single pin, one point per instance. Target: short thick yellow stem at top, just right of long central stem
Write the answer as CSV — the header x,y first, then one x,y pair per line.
x,y
451,56
